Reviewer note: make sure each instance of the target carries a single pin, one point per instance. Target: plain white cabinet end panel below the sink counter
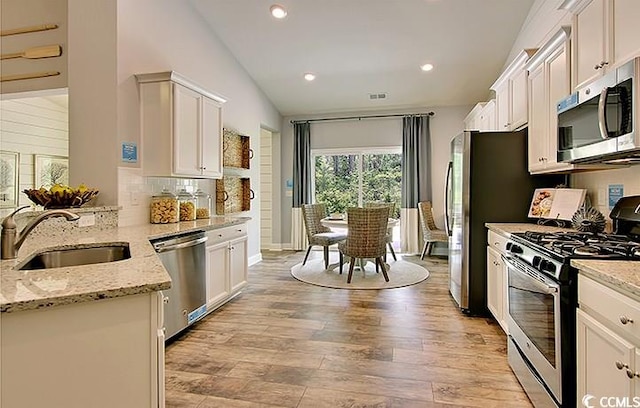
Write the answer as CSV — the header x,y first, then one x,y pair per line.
x,y
104,353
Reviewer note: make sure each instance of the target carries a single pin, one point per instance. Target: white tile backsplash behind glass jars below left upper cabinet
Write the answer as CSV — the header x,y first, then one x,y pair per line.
x,y
135,191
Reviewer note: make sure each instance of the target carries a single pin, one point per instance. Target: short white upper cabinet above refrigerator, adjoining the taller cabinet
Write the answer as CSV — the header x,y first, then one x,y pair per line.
x,y
511,94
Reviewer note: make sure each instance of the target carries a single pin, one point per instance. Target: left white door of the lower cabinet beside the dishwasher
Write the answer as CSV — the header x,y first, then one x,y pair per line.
x,y
217,274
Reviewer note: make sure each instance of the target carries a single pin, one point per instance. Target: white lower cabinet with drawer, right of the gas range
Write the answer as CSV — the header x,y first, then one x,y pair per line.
x,y
608,349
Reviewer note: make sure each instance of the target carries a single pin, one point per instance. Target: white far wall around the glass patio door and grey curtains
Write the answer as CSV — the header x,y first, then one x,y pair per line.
x,y
444,125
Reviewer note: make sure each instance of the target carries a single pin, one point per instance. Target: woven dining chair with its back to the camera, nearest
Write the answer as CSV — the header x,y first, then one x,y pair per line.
x,y
366,238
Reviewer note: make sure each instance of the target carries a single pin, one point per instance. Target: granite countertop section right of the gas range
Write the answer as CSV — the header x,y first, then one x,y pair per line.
x,y
622,276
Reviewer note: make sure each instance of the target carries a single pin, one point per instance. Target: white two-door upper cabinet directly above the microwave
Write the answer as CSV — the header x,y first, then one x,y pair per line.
x,y
606,34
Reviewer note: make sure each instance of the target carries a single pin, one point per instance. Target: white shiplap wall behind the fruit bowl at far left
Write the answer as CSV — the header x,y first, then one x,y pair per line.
x,y
31,126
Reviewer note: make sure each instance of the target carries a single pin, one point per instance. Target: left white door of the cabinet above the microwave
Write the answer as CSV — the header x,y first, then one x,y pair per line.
x,y
591,44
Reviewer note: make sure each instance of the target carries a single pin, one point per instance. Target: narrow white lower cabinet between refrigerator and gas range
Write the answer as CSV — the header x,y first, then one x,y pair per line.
x,y
497,279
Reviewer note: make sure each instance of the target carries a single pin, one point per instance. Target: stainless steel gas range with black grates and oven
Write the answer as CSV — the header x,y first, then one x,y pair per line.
x,y
542,299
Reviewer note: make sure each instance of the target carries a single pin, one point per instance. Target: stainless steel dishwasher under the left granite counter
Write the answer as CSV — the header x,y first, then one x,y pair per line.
x,y
184,258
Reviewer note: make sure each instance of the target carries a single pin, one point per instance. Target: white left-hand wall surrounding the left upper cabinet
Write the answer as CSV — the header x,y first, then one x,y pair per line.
x,y
138,36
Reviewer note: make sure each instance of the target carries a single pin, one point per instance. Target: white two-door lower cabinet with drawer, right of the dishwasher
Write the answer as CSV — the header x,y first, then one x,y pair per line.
x,y
227,264
